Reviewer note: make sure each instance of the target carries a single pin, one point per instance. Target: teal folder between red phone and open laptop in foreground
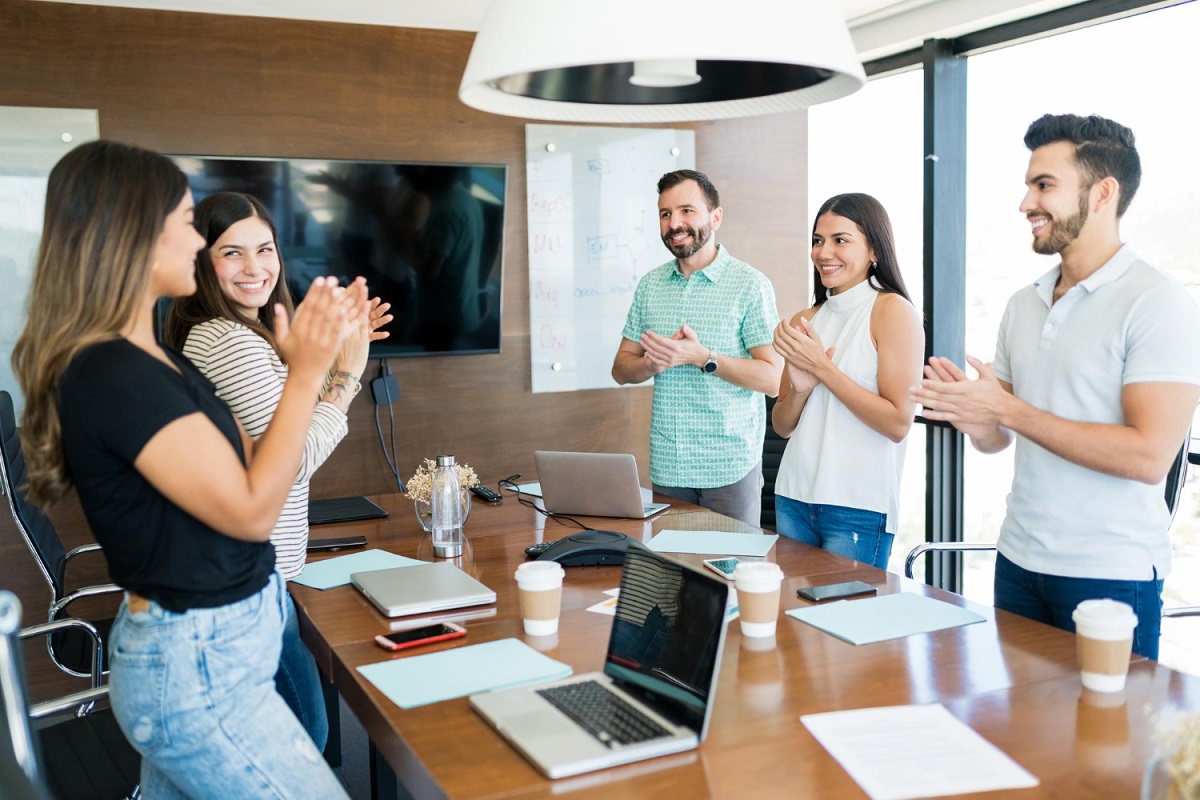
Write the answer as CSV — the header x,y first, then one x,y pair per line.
x,y
421,681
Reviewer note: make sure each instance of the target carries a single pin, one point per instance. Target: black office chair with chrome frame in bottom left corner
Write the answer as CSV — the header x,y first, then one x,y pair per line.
x,y
76,753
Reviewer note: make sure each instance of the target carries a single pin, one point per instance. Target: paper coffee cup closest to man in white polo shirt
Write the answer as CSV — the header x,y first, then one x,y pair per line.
x,y
1105,641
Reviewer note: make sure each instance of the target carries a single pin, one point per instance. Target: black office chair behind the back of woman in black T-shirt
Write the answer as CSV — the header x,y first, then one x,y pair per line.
x,y
69,649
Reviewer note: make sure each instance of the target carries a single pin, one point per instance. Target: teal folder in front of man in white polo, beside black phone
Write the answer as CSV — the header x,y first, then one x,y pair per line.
x,y
887,617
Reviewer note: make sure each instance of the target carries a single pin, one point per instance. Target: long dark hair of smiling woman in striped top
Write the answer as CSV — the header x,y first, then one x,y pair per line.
x,y
214,216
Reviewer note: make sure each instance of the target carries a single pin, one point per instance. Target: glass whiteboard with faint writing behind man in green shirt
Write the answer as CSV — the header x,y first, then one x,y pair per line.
x,y
593,234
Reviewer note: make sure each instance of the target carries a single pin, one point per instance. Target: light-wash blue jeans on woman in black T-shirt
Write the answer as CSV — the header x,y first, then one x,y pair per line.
x,y
195,695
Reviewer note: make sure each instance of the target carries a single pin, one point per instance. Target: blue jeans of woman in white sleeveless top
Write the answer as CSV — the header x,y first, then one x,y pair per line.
x,y
854,533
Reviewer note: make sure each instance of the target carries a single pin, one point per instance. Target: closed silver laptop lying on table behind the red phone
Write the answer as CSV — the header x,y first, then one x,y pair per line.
x,y
422,590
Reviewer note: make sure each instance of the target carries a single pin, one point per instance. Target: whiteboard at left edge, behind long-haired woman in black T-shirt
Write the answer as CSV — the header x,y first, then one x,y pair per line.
x,y
32,142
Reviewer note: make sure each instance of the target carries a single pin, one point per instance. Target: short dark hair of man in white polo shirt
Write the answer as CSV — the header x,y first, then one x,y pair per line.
x,y
1103,148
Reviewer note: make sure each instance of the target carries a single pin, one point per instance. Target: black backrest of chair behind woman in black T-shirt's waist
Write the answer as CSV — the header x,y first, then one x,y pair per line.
x,y
31,520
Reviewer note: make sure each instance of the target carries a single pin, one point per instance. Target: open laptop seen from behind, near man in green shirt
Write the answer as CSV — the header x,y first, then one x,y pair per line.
x,y
596,485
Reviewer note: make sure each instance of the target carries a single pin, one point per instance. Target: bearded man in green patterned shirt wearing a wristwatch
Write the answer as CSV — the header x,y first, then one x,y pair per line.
x,y
701,326
